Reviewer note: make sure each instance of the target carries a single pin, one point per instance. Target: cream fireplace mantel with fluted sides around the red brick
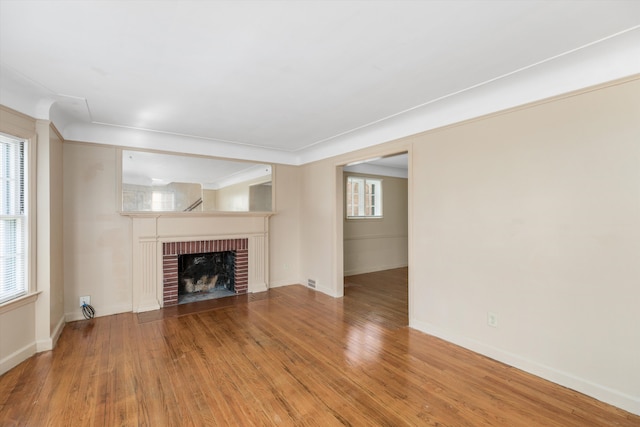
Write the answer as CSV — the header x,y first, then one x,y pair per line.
x,y
150,232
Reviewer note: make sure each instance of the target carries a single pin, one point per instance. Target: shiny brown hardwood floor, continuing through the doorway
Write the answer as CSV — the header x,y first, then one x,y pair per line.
x,y
289,356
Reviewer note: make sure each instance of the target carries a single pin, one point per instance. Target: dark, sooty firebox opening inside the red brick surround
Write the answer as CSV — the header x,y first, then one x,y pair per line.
x,y
205,275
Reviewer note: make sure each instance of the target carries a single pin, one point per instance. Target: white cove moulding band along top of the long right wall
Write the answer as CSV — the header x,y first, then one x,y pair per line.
x,y
607,60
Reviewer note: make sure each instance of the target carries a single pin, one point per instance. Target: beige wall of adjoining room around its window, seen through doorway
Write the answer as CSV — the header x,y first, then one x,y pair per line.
x,y
379,243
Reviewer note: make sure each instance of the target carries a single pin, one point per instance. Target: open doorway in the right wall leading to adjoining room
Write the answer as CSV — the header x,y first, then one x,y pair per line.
x,y
374,215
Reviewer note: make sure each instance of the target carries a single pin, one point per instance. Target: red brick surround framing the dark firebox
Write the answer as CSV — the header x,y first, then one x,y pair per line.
x,y
171,250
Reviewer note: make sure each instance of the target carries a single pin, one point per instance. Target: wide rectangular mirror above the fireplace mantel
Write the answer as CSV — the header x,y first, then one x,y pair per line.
x,y
162,182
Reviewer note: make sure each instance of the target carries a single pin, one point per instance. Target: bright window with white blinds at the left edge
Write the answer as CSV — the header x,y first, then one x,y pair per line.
x,y
13,218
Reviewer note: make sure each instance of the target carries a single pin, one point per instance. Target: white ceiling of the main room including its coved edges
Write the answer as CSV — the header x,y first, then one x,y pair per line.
x,y
293,82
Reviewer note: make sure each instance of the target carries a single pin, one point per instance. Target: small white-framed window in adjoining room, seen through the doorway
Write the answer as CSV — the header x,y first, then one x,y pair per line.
x,y
364,197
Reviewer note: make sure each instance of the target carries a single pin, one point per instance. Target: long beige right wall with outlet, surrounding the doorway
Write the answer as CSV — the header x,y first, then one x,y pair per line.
x,y
532,214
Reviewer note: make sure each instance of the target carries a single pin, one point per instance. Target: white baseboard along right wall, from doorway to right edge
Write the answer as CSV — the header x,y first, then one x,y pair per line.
x,y
605,394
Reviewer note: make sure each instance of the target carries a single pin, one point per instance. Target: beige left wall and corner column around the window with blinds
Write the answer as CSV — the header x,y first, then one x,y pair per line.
x,y
34,323
